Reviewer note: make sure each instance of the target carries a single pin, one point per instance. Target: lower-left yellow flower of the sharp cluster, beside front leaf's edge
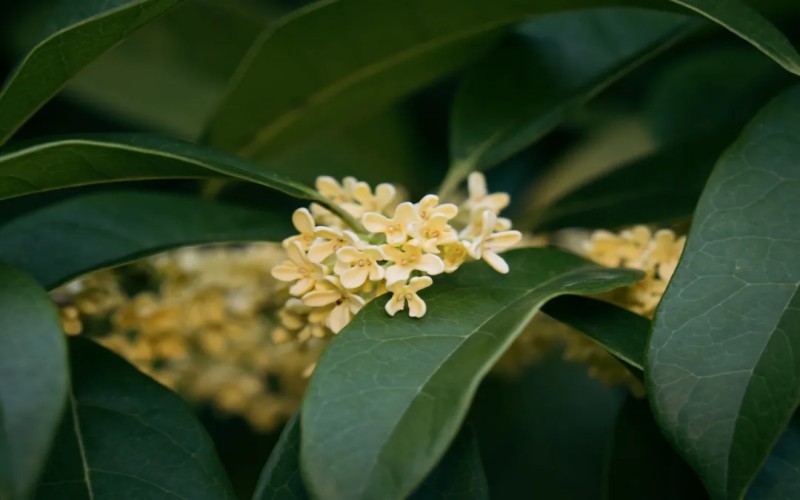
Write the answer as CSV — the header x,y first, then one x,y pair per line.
x,y
334,305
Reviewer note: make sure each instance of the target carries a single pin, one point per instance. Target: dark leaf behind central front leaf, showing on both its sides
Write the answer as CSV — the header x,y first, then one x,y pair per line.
x,y
458,476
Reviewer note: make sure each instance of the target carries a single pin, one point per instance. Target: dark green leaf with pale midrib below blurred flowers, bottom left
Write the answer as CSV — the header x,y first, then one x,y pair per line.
x,y
126,436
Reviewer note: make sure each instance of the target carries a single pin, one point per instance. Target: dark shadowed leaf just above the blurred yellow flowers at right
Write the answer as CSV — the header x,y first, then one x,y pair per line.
x,y
660,187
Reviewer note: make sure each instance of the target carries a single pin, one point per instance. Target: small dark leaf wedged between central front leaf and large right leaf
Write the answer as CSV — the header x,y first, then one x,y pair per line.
x,y
621,332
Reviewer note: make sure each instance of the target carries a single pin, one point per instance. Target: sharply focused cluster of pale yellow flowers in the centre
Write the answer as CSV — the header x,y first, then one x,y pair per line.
x,y
335,269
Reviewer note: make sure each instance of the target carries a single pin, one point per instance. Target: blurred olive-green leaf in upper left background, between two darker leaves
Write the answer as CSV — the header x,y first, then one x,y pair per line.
x,y
169,76
